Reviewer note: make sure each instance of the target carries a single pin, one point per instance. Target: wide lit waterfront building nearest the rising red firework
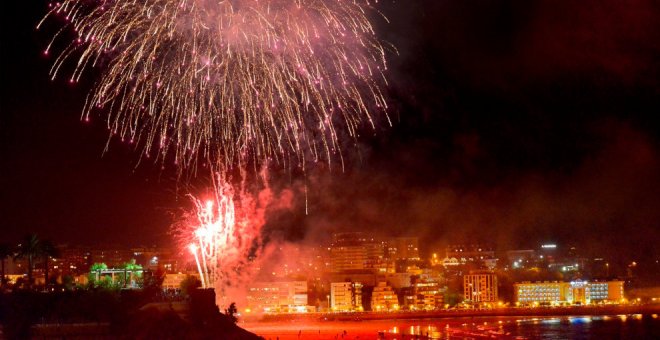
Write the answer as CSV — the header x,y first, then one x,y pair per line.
x,y
274,297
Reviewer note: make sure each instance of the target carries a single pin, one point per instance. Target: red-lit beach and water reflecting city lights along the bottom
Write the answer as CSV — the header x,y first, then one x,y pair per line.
x,y
460,327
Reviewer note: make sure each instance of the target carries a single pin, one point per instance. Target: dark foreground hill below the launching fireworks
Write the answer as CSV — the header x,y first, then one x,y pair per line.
x,y
103,314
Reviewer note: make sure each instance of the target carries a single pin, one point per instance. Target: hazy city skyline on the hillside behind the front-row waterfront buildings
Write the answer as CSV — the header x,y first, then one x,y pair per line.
x,y
359,253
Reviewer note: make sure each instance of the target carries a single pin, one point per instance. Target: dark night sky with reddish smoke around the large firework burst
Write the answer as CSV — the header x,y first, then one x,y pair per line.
x,y
515,122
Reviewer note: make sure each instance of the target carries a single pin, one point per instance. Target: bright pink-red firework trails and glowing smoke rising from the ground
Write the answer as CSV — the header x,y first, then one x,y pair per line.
x,y
223,233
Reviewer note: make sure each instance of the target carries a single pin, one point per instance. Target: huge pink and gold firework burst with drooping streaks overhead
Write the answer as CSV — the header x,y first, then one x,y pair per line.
x,y
228,81
